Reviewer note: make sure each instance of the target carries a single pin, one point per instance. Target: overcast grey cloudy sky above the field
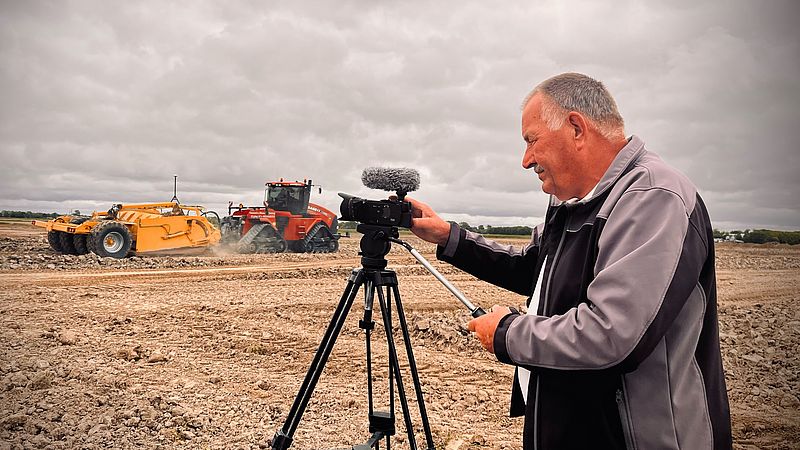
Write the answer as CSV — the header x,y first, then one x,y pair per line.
x,y
103,101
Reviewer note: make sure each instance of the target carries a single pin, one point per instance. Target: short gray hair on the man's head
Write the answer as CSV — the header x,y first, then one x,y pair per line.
x,y
577,92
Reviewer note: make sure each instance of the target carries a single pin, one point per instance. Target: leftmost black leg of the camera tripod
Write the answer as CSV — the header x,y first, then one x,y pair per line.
x,y
283,438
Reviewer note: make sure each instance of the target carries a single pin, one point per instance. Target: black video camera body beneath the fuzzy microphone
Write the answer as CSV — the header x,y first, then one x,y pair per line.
x,y
389,213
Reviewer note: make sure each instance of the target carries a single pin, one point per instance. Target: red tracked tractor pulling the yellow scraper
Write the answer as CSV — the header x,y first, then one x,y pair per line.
x,y
287,221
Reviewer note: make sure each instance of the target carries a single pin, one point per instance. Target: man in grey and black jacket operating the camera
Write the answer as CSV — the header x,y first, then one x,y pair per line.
x,y
620,345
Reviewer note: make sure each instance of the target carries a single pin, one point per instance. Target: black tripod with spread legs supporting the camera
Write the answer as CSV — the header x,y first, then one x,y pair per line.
x,y
375,278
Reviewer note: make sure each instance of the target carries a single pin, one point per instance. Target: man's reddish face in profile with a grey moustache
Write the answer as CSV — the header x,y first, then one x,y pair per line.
x,y
551,154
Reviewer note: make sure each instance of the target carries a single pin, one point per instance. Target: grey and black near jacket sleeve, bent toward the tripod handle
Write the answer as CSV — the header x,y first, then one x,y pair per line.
x,y
649,260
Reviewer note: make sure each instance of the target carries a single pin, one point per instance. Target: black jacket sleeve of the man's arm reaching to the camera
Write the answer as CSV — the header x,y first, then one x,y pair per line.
x,y
501,265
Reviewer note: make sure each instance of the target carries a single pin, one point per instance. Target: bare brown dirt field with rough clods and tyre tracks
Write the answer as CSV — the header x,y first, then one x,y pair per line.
x,y
209,351
